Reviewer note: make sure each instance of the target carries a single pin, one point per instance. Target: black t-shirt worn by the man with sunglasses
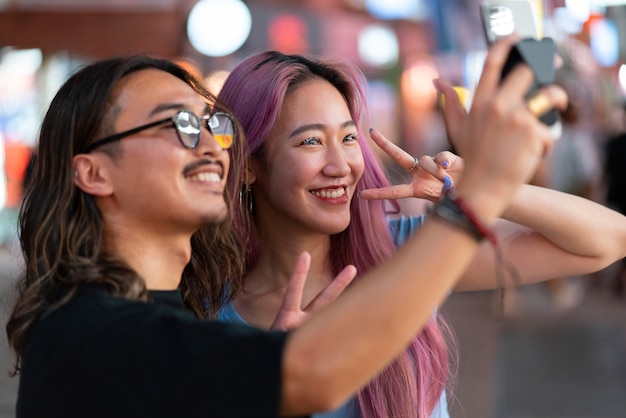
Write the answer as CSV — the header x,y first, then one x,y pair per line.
x,y
101,356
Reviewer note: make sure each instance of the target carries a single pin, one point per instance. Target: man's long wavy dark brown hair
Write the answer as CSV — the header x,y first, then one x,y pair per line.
x,y
60,226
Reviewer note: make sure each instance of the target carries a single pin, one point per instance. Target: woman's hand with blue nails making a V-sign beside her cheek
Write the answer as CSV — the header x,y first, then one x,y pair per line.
x,y
431,175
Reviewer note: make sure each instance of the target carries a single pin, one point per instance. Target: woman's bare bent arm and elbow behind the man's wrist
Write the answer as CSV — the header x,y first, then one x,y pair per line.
x,y
550,234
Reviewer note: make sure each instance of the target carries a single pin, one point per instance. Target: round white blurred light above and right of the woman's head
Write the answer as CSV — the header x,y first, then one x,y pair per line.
x,y
378,46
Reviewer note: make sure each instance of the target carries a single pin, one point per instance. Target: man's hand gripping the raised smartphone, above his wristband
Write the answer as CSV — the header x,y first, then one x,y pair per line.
x,y
501,141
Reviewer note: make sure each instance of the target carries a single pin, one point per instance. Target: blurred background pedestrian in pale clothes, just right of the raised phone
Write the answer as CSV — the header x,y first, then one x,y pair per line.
x,y
574,164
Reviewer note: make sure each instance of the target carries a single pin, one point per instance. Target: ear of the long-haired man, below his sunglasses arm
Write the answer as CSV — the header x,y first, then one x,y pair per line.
x,y
91,174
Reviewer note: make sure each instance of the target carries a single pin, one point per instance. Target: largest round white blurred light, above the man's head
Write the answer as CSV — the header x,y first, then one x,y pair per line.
x,y
218,27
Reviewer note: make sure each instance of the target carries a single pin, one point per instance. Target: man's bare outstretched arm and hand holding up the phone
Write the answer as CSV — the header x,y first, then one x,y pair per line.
x,y
346,344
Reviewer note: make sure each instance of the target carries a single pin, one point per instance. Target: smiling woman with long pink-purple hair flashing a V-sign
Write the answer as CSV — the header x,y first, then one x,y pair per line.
x,y
309,158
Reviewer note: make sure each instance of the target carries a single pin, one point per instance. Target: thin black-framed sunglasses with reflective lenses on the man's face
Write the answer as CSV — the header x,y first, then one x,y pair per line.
x,y
188,127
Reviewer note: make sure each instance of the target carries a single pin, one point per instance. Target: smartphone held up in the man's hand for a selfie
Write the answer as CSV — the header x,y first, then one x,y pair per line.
x,y
505,17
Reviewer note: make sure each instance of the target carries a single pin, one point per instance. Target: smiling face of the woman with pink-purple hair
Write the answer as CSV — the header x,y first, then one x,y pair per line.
x,y
312,163
